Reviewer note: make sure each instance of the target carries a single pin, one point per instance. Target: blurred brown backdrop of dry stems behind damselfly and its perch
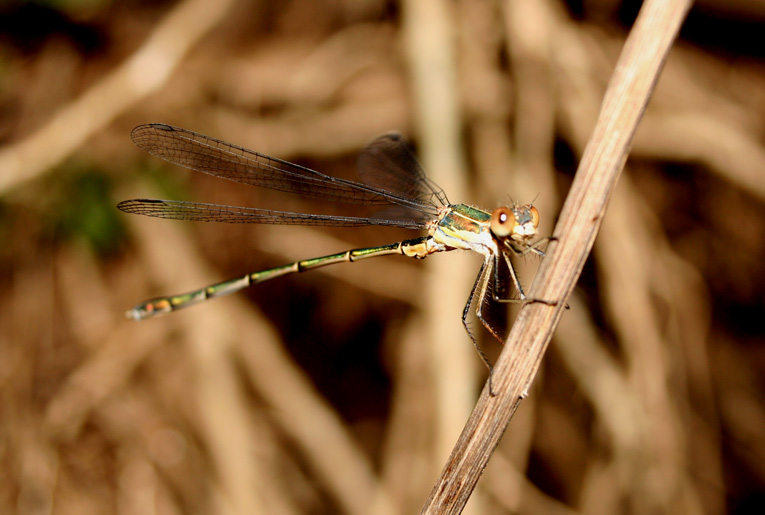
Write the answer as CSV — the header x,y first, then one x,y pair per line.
x,y
342,390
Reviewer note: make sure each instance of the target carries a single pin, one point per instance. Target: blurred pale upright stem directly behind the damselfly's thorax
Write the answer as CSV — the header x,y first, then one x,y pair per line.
x,y
429,36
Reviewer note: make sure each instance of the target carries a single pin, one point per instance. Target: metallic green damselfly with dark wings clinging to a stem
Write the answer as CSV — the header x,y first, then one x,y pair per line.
x,y
392,180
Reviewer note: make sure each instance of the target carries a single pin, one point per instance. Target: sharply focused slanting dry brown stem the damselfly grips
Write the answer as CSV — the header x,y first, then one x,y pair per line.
x,y
631,86
